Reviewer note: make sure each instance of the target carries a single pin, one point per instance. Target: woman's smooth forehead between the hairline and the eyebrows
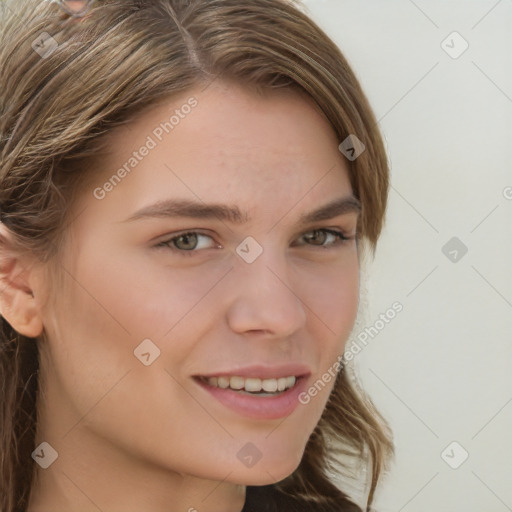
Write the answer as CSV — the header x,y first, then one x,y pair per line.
x,y
225,143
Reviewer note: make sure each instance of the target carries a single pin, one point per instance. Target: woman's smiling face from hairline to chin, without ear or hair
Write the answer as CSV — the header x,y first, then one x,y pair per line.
x,y
261,291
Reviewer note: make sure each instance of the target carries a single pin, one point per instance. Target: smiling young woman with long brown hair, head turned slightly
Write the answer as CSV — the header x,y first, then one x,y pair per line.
x,y
187,190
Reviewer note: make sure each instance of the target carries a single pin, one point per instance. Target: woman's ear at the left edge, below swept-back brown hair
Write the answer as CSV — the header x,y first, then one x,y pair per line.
x,y
18,304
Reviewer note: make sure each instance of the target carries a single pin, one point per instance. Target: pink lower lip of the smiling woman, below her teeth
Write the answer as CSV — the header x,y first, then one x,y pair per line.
x,y
259,407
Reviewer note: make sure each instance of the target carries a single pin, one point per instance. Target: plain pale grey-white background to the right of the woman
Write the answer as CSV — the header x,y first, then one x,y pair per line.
x,y
440,370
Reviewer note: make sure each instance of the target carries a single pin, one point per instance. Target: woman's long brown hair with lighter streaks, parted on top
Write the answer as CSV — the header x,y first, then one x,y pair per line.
x,y
103,70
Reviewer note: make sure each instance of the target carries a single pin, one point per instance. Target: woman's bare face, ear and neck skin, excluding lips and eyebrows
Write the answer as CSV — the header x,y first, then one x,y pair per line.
x,y
146,438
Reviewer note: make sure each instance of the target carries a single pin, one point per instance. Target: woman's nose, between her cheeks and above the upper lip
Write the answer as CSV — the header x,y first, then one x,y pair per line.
x,y
264,298
